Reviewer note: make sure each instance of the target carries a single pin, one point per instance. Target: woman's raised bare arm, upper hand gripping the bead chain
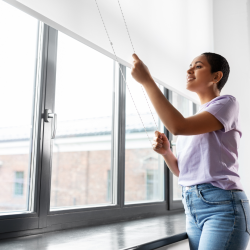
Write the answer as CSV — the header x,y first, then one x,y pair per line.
x,y
173,120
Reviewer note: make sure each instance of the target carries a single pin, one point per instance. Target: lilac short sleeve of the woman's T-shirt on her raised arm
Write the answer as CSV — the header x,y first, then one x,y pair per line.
x,y
226,110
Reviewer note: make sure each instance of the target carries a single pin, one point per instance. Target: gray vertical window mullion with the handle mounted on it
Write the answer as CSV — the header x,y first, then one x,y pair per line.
x,y
49,80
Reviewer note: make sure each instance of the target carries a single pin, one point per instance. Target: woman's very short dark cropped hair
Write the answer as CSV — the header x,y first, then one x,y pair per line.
x,y
218,63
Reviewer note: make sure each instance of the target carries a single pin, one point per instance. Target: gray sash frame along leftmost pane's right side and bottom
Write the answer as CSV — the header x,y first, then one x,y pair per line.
x,y
14,223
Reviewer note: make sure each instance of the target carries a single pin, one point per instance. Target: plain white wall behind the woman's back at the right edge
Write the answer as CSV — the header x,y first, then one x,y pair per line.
x,y
232,40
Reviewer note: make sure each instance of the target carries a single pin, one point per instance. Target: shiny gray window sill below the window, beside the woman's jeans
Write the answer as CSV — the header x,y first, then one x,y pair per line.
x,y
147,233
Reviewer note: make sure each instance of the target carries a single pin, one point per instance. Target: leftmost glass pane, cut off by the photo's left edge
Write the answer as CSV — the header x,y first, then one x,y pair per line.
x,y
18,52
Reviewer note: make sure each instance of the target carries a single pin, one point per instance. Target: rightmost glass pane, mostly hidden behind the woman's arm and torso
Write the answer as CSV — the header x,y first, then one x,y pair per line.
x,y
186,108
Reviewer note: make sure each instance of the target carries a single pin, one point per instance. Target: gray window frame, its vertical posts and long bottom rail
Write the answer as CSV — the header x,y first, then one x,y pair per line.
x,y
42,219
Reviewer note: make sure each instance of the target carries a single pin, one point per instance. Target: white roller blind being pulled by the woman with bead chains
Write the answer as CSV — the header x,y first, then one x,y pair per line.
x,y
166,34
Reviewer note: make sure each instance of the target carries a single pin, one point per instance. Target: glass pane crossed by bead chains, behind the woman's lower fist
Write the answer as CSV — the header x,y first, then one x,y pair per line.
x,y
144,168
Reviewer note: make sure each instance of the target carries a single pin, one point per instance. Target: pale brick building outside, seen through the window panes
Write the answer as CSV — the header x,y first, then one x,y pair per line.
x,y
81,165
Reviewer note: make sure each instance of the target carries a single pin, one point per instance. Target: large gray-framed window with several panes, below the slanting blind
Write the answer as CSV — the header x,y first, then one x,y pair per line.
x,y
73,149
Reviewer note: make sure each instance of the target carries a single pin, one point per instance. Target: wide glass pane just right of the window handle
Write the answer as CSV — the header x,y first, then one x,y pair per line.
x,y
82,148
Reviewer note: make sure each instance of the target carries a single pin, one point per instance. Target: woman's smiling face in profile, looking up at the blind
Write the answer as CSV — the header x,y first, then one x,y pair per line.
x,y
199,76
